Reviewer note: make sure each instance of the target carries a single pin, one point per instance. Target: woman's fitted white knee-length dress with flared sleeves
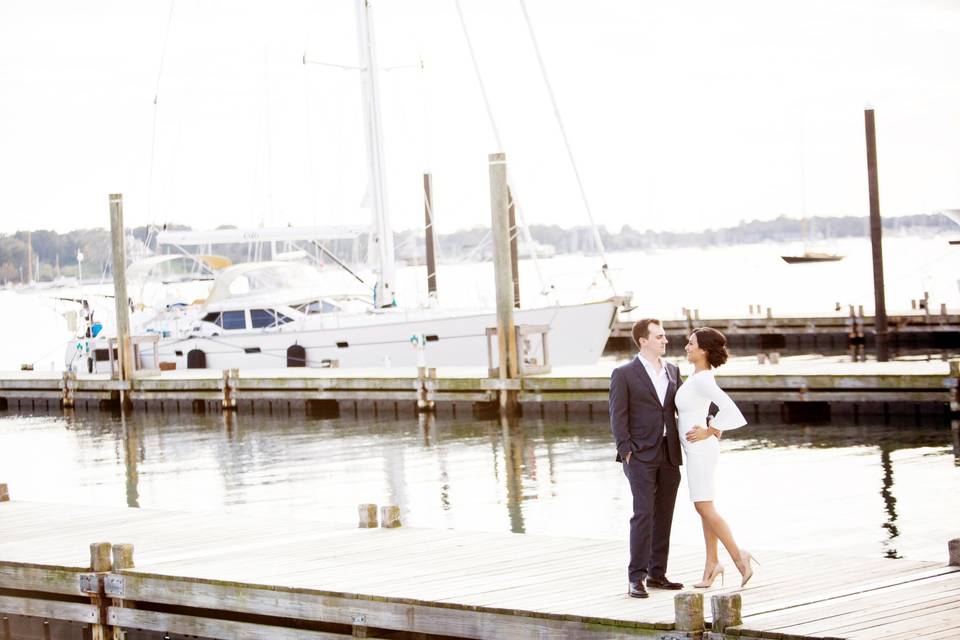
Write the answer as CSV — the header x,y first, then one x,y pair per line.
x,y
693,401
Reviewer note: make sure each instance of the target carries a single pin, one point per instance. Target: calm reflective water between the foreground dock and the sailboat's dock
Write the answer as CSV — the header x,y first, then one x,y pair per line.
x,y
857,488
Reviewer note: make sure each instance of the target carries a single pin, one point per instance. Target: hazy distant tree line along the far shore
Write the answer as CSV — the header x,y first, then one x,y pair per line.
x,y
56,253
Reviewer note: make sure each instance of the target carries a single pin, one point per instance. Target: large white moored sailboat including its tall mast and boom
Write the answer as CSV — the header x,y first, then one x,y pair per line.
x,y
276,314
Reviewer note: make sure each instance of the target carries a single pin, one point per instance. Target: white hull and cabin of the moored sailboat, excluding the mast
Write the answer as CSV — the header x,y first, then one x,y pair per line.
x,y
272,315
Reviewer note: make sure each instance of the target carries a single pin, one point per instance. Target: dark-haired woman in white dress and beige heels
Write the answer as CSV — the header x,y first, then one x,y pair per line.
x,y
706,349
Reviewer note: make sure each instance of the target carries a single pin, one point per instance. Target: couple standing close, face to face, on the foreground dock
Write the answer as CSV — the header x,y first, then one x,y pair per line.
x,y
654,415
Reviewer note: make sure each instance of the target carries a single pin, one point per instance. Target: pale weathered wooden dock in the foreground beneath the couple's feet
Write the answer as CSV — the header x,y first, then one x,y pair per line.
x,y
229,576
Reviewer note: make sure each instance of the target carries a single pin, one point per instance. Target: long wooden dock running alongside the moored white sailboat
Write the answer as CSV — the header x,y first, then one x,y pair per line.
x,y
803,387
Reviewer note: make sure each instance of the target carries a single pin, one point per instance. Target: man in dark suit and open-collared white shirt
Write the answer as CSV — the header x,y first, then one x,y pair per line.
x,y
644,423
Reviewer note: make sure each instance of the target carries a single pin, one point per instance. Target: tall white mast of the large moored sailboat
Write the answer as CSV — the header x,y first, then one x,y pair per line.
x,y
382,235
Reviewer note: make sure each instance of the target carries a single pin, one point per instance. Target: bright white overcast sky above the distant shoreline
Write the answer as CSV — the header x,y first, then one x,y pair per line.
x,y
680,115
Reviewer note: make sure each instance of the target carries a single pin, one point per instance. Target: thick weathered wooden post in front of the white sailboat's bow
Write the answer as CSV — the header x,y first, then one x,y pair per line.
x,y
500,228
